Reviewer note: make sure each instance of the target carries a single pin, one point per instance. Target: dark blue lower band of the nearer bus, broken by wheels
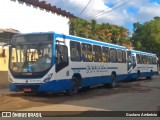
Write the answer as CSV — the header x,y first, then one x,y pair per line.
x,y
62,85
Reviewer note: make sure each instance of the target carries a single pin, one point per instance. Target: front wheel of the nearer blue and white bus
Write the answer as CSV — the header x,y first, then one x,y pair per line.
x,y
74,87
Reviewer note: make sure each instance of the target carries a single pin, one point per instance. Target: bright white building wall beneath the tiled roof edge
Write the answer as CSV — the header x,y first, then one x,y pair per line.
x,y
28,18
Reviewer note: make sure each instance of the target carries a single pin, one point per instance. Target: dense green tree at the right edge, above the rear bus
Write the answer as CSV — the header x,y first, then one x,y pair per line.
x,y
146,36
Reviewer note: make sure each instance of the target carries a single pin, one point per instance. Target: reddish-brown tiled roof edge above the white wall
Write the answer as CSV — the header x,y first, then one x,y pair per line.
x,y
48,6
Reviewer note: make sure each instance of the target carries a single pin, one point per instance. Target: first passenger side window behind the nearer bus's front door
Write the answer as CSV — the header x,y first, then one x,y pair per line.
x,y
75,51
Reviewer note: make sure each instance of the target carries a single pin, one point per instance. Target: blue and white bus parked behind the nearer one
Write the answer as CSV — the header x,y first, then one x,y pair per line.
x,y
141,64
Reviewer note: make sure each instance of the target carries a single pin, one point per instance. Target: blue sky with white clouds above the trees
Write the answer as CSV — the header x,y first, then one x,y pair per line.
x,y
118,12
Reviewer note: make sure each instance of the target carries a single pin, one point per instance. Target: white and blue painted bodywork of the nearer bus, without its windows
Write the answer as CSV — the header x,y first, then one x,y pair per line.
x,y
92,73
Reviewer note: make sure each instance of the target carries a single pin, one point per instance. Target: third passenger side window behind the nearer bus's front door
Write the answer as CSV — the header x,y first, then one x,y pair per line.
x,y
97,54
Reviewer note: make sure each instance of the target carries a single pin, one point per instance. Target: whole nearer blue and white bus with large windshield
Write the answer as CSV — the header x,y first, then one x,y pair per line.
x,y
51,62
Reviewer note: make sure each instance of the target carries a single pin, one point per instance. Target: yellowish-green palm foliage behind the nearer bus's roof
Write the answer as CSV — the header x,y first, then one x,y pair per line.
x,y
103,32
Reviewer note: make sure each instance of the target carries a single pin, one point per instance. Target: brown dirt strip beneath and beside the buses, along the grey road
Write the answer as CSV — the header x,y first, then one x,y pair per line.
x,y
18,101
